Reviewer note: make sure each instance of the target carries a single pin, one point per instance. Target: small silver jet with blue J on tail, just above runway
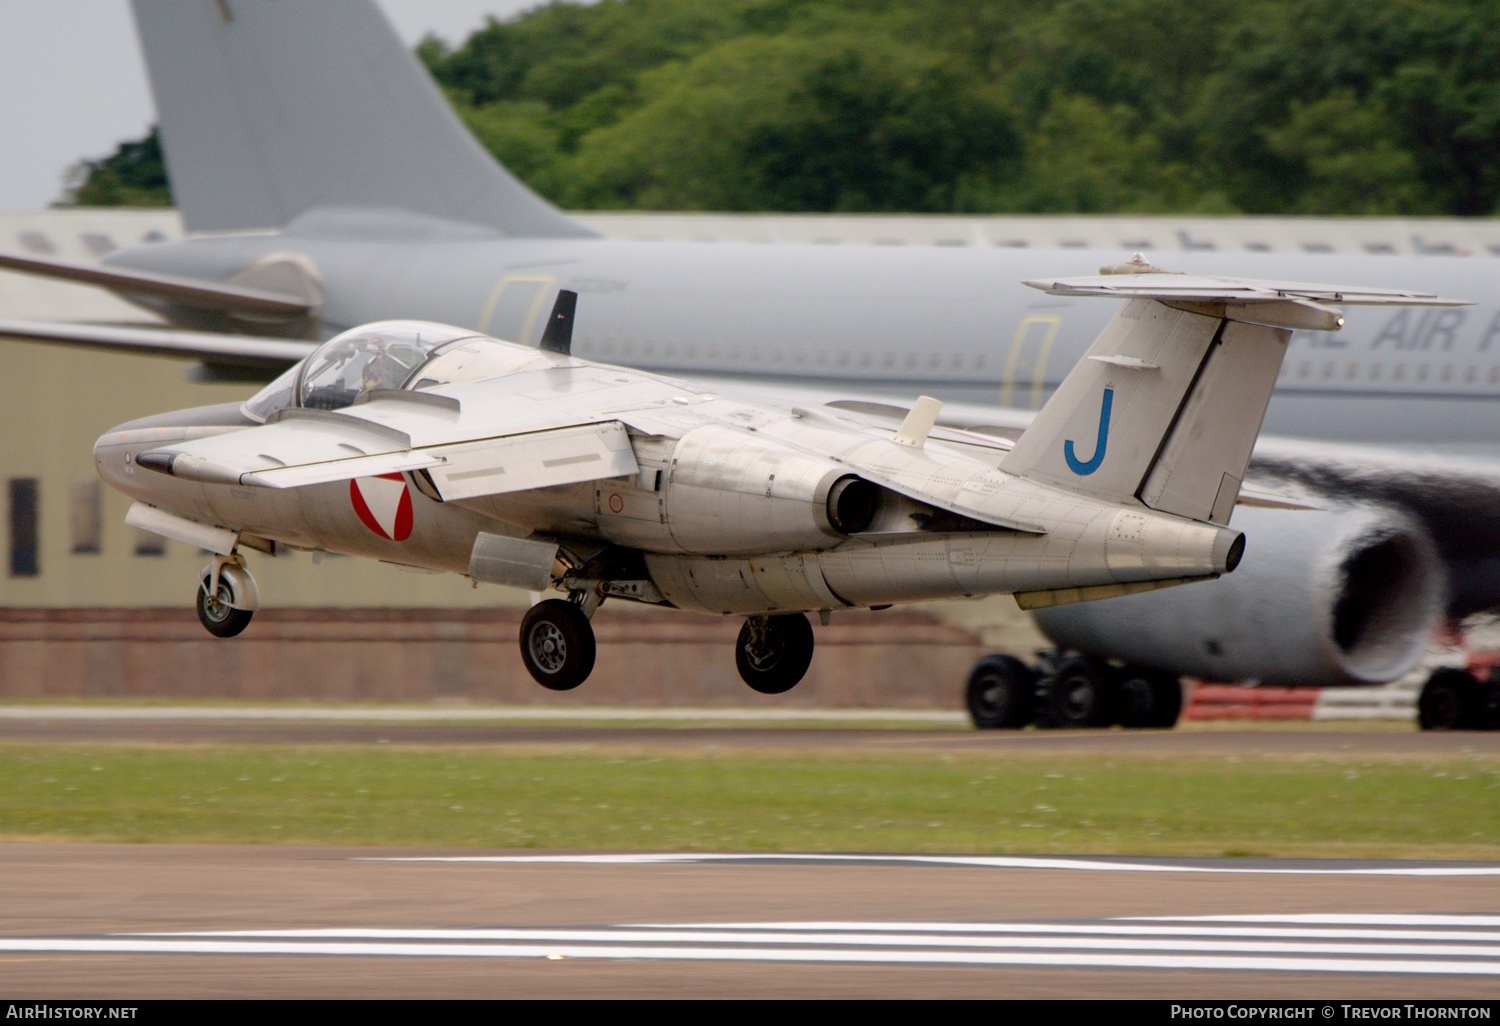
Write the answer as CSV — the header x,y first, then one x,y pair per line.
x,y
449,451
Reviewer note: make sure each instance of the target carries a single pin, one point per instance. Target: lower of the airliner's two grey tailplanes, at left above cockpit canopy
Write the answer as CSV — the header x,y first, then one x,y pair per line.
x,y
211,347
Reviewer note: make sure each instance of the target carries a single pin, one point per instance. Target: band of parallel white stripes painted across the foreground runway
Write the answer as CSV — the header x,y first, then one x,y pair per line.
x,y
1339,946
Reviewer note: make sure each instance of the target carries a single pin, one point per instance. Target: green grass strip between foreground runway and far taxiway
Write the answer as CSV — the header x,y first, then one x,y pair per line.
x,y
1288,806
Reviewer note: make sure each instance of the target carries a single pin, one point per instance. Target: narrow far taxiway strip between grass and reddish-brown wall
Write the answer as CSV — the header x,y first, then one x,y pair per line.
x,y
695,730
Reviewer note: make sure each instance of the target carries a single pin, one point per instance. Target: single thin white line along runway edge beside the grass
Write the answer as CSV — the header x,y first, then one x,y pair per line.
x,y
985,862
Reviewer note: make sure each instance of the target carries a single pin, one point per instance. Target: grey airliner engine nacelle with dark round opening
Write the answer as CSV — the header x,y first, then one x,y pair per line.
x,y
1322,599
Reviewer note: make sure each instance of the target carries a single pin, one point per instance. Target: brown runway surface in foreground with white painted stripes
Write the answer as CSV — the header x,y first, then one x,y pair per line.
x,y
175,922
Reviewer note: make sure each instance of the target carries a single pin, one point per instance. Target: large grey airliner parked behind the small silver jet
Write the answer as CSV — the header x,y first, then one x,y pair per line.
x,y
328,184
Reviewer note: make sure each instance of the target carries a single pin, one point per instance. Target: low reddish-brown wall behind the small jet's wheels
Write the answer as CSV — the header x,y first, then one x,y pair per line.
x,y
646,658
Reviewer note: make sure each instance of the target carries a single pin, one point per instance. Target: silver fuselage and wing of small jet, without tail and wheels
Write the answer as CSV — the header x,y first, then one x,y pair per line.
x,y
734,506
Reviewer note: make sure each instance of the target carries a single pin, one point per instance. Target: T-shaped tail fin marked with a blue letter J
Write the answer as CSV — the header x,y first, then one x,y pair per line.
x,y
1168,403
